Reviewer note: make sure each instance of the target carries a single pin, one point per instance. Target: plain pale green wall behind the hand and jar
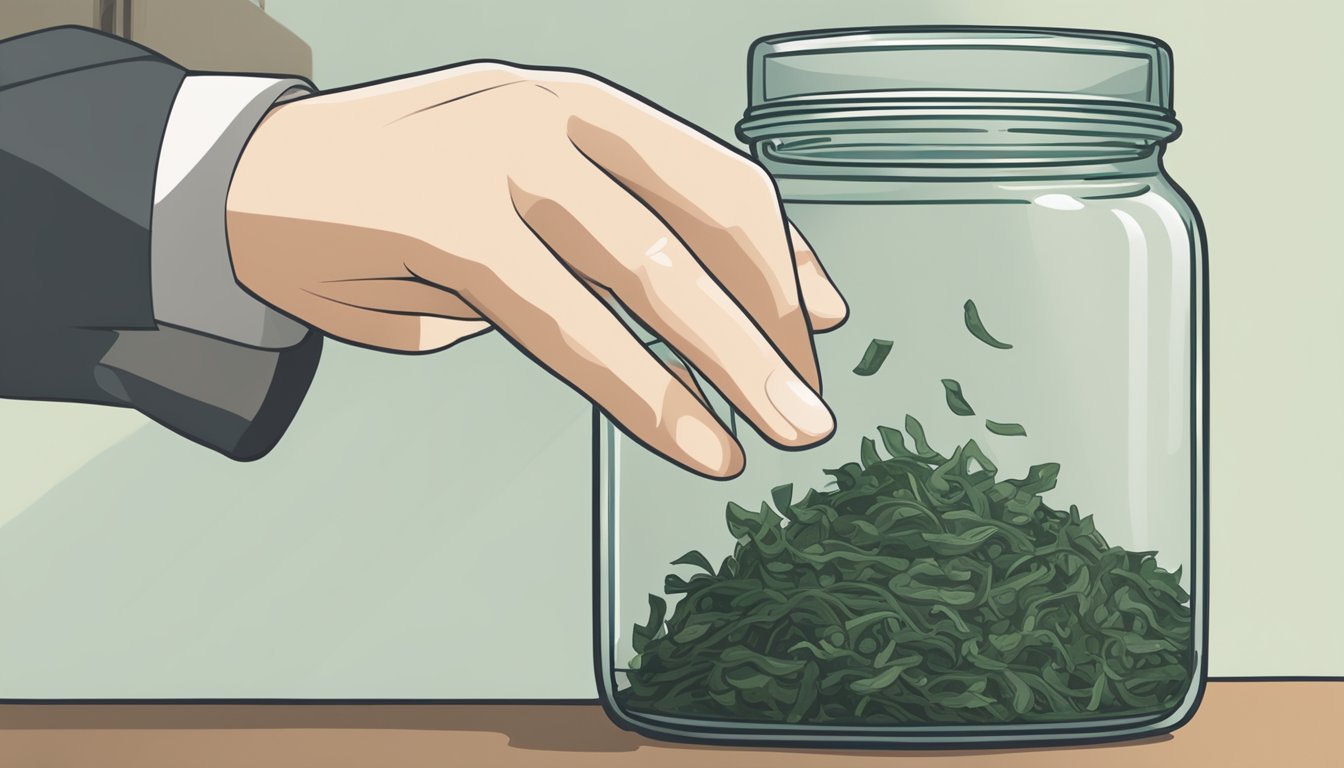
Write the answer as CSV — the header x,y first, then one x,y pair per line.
x,y
373,556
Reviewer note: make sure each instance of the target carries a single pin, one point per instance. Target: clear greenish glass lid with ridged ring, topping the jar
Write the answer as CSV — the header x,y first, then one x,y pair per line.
x,y
936,95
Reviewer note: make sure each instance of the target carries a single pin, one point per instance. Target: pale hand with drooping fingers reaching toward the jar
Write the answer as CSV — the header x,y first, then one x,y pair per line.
x,y
416,213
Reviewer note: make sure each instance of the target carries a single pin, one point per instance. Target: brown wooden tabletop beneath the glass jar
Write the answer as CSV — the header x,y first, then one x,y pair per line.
x,y
1256,724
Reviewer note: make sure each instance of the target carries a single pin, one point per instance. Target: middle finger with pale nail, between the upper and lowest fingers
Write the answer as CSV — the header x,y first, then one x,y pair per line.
x,y
614,240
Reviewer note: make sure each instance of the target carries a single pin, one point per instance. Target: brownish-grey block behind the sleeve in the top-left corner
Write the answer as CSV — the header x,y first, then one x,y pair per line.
x,y
209,36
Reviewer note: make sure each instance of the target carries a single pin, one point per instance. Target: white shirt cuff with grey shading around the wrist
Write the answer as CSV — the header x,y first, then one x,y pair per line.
x,y
192,272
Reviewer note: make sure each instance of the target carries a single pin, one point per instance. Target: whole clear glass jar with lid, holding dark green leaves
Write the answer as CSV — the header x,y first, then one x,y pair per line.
x,y
1005,541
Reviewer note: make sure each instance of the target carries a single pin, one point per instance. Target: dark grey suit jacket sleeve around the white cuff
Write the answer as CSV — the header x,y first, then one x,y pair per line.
x,y
83,118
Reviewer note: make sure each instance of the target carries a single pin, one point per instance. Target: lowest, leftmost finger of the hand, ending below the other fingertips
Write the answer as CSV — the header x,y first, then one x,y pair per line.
x,y
544,309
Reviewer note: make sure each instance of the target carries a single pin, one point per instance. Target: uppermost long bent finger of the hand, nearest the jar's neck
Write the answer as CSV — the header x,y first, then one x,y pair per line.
x,y
724,206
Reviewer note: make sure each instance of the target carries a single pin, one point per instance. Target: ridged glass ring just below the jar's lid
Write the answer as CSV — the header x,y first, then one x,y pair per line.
x,y
954,127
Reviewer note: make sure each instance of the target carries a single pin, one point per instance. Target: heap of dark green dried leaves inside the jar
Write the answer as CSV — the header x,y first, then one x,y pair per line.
x,y
921,588
